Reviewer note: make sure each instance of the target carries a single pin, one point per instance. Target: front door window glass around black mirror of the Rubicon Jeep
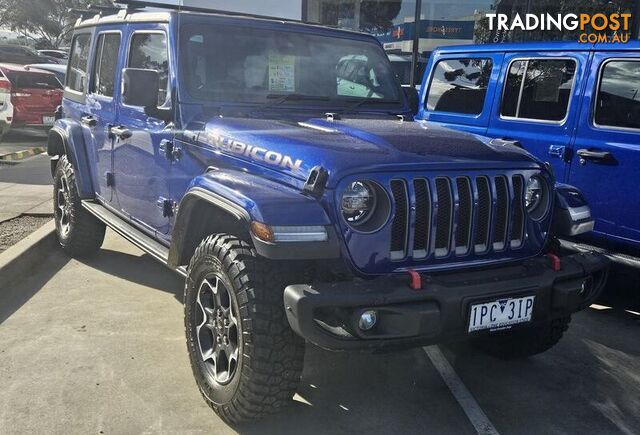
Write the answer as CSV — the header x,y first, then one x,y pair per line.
x,y
149,51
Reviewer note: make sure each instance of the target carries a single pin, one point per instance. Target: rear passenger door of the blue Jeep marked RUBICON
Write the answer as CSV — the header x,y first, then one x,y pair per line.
x,y
100,110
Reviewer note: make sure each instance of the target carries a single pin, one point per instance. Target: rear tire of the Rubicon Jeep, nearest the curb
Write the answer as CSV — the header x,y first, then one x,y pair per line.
x,y
85,233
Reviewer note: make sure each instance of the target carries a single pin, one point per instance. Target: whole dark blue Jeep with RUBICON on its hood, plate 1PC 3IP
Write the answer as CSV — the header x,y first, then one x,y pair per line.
x,y
277,167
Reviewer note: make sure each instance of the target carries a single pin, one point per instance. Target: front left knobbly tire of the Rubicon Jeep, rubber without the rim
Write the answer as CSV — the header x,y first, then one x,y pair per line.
x,y
271,356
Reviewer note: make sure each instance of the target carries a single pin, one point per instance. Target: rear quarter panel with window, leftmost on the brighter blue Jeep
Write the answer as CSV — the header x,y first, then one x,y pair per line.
x,y
459,90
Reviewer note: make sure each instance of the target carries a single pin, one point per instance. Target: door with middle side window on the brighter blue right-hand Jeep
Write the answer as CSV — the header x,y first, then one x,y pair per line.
x,y
539,102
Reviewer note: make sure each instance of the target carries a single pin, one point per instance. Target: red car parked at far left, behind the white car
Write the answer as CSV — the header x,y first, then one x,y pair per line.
x,y
35,95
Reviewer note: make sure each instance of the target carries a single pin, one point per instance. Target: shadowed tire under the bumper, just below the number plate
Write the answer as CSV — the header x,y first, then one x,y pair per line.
x,y
526,342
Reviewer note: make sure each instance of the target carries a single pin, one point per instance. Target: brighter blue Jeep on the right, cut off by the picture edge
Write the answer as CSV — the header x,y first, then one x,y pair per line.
x,y
578,108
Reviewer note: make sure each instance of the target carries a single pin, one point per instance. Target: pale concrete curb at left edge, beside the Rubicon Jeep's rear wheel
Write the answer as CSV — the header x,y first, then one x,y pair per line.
x,y
22,257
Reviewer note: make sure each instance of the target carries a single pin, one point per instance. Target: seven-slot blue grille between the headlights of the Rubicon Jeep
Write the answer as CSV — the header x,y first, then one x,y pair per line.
x,y
456,215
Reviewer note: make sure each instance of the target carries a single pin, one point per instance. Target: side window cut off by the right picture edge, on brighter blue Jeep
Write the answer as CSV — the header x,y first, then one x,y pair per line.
x,y
618,100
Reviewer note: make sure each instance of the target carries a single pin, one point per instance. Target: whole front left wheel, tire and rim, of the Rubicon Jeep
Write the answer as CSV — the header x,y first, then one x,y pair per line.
x,y
245,358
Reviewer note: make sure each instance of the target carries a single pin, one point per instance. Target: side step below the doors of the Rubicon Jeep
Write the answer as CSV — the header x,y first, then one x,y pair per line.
x,y
129,232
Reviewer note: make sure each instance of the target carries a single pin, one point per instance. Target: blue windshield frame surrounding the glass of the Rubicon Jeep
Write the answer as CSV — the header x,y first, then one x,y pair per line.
x,y
399,106
